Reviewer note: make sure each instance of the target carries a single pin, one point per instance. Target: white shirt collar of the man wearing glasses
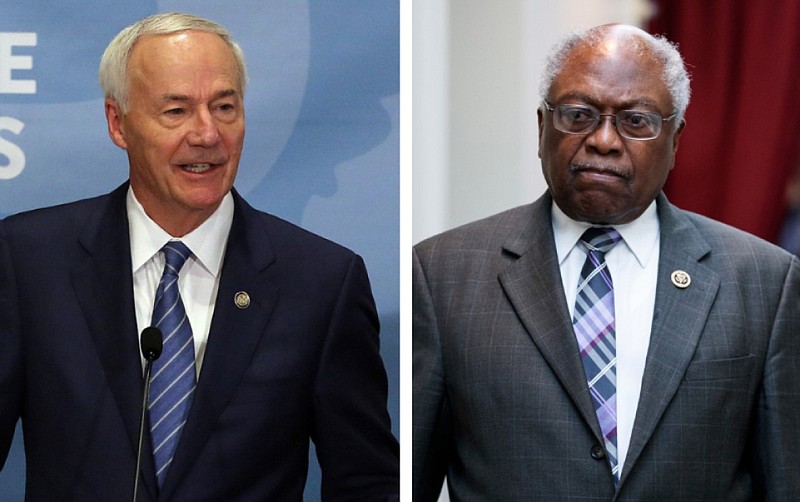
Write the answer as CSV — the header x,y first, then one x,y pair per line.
x,y
640,235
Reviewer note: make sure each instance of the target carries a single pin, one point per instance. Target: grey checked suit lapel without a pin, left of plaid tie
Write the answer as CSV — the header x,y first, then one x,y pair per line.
x,y
533,285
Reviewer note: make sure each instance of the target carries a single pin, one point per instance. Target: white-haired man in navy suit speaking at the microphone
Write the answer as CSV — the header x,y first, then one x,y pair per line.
x,y
270,334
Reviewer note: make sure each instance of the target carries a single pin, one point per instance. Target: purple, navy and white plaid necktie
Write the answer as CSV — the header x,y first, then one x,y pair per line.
x,y
594,325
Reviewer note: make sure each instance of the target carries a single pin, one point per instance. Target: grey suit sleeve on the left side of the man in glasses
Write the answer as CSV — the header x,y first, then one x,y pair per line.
x,y
431,431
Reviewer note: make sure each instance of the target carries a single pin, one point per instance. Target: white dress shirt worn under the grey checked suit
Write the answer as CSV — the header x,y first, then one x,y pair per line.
x,y
633,265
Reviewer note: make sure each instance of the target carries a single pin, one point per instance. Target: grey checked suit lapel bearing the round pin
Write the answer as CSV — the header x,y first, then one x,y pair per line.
x,y
678,320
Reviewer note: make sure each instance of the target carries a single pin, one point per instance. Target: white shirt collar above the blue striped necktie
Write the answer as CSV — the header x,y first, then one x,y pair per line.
x,y
207,241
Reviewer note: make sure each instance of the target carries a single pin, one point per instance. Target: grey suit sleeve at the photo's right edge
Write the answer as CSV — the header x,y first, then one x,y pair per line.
x,y
777,424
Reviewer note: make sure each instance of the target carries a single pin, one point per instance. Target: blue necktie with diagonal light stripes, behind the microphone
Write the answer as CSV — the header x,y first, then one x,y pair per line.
x,y
173,382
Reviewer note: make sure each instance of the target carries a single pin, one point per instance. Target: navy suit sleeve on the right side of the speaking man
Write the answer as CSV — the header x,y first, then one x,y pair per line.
x,y
357,452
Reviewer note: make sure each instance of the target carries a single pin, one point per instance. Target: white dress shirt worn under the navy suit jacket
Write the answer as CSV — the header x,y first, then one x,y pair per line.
x,y
198,281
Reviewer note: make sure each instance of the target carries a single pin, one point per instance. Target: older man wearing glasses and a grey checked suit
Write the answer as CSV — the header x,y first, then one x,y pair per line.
x,y
600,343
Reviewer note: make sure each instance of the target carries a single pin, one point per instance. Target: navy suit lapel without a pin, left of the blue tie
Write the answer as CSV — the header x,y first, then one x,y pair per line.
x,y
103,285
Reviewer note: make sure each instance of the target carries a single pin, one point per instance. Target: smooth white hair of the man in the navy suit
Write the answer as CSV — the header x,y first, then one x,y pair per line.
x,y
114,63
